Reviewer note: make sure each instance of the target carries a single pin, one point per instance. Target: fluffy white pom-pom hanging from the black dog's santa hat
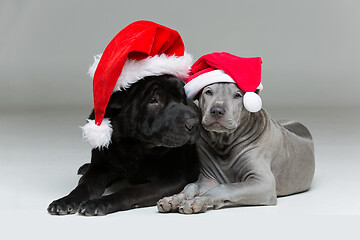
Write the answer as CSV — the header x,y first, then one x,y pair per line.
x,y
98,136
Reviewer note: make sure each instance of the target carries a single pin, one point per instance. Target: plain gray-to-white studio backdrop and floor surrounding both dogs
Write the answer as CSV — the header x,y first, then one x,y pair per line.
x,y
310,55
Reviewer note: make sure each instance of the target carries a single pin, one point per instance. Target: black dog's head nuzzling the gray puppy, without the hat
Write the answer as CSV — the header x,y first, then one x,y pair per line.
x,y
154,111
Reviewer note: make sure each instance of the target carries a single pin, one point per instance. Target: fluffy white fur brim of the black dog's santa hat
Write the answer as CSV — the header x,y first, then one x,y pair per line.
x,y
134,70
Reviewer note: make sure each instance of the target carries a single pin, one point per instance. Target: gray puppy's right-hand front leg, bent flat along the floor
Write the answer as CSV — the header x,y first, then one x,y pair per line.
x,y
253,191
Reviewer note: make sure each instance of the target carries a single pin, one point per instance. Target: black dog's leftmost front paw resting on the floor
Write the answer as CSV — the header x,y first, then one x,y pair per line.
x,y
64,206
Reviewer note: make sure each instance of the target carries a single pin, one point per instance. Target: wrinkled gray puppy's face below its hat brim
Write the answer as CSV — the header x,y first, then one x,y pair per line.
x,y
222,108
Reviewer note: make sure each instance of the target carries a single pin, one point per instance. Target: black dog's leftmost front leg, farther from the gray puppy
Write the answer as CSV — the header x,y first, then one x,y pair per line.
x,y
92,184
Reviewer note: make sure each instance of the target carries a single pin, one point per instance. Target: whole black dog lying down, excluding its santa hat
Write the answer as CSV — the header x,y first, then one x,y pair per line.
x,y
152,147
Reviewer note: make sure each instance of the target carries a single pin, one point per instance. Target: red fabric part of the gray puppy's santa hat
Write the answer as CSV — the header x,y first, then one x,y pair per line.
x,y
246,72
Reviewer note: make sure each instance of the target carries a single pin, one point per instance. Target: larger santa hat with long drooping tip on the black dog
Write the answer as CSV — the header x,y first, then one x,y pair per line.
x,y
141,49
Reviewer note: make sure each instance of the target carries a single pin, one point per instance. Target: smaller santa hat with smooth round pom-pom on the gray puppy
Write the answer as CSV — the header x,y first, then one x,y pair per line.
x,y
225,67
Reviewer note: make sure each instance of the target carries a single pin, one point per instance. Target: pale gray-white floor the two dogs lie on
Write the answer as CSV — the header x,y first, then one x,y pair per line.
x,y
42,149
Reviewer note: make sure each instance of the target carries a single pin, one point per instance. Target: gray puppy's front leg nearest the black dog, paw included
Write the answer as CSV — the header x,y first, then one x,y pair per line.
x,y
190,191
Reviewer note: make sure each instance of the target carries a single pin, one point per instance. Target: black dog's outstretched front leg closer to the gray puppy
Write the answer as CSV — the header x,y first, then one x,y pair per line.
x,y
141,195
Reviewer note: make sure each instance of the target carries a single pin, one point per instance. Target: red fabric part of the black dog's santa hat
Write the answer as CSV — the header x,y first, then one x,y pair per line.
x,y
136,41
